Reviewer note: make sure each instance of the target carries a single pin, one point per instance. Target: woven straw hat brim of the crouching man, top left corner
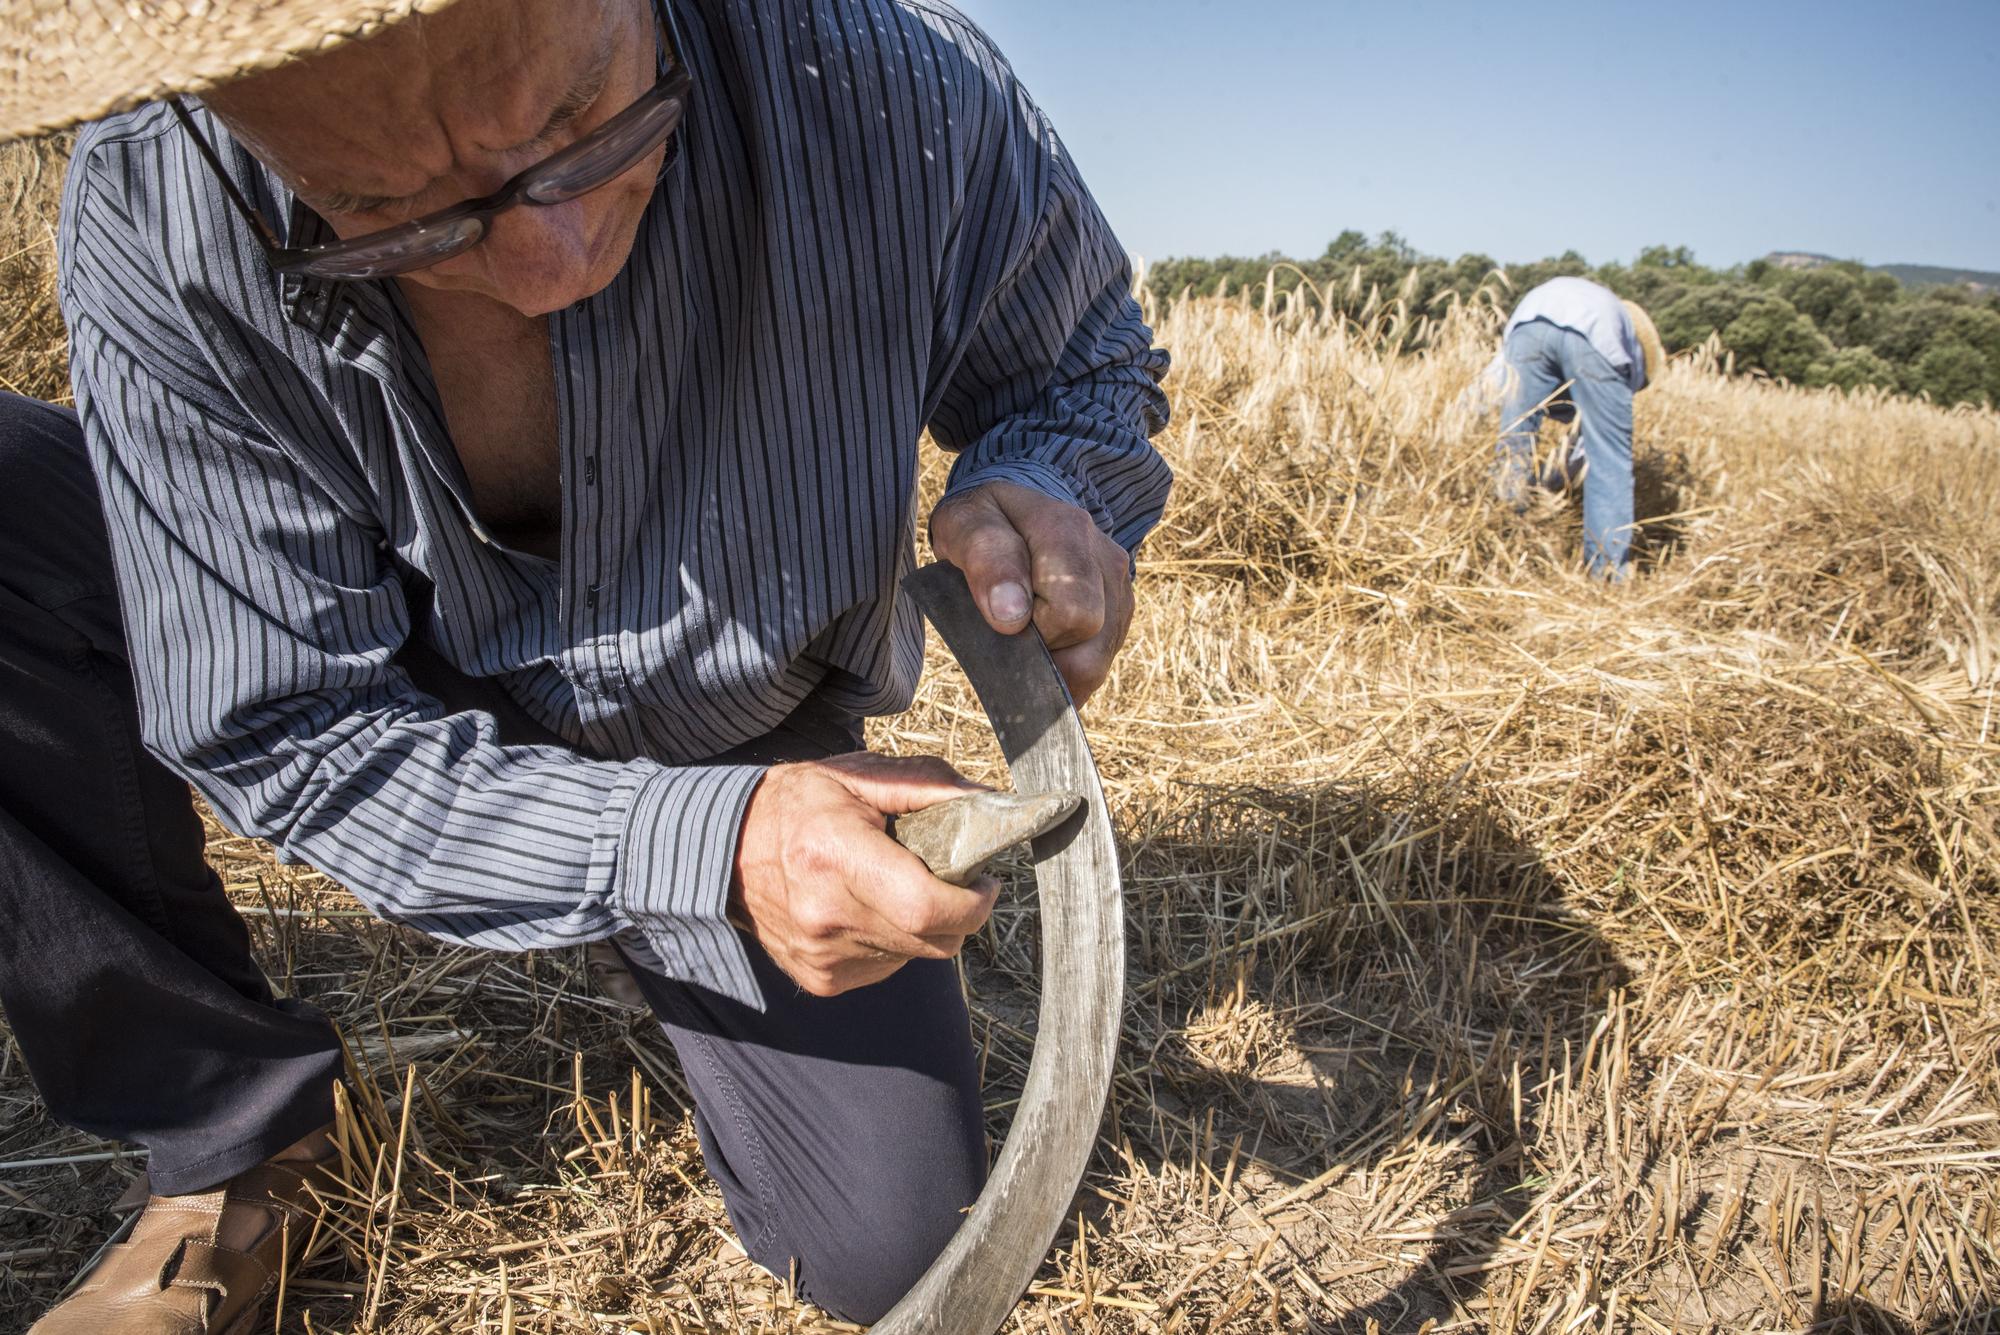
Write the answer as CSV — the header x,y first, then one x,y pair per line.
x,y
67,61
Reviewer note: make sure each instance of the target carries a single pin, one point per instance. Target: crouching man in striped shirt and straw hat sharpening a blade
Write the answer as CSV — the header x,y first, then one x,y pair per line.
x,y
507,439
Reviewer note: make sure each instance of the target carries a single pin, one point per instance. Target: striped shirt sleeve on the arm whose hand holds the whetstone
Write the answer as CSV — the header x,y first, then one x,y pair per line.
x,y
263,627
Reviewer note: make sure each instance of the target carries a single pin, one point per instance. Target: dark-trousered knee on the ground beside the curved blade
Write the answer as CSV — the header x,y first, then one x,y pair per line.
x,y
847,1132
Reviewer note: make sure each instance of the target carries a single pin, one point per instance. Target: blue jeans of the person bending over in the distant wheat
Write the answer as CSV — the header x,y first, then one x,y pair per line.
x,y
1553,367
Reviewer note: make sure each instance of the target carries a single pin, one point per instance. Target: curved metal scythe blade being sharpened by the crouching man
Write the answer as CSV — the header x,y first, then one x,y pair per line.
x,y
977,1280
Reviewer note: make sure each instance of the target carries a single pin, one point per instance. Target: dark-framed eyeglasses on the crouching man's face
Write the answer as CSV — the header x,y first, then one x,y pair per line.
x,y
601,157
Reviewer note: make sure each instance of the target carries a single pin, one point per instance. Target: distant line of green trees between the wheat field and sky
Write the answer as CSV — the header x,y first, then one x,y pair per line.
x,y
1839,325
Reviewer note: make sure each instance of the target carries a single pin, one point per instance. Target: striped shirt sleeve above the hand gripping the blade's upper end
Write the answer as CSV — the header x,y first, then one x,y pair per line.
x,y
1059,387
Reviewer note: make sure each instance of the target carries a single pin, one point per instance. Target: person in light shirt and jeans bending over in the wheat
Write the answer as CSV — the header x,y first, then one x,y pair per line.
x,y
1579,355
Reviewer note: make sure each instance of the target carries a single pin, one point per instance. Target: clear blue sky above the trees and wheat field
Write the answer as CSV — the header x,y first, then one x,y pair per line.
x,y
1857,129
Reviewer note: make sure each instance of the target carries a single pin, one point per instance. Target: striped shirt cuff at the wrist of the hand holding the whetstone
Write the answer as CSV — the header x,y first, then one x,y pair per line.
x,y
673,866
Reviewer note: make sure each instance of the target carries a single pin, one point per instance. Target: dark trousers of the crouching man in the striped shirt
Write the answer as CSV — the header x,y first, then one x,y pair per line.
x,y
845,1132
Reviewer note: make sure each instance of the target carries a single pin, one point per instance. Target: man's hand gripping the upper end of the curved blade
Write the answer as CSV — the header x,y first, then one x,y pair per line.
x,y
1031,557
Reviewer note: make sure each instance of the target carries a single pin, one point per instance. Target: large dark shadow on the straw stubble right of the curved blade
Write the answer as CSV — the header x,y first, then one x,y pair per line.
x,y
1345,986
